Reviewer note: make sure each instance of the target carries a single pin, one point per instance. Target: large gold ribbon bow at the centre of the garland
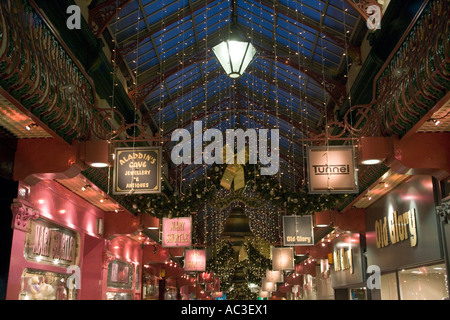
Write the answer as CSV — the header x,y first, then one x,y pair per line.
x,y
234,172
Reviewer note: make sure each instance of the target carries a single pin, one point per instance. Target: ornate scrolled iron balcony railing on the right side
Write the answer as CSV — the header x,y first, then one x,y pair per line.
x,y
411,82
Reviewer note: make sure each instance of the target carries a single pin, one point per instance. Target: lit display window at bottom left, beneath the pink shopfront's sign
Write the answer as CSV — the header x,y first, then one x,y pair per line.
x,y
45,285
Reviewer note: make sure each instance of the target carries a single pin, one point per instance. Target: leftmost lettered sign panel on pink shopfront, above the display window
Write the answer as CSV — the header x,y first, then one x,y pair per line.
x,y
49,243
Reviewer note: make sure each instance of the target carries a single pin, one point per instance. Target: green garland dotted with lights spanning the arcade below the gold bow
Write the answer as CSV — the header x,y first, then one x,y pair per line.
x,y
258,190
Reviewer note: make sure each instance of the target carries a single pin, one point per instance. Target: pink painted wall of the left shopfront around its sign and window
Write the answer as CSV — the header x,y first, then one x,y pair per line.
x,y
58,205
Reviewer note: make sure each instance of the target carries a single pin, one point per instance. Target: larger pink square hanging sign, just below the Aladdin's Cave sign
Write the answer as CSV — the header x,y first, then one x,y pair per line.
x,y
177,232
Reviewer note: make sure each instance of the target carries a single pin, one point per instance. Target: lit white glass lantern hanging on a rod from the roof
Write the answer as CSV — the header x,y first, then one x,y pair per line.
x,y
235,53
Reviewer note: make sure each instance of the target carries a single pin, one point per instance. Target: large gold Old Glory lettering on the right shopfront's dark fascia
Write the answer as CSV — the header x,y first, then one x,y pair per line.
x,y
396,228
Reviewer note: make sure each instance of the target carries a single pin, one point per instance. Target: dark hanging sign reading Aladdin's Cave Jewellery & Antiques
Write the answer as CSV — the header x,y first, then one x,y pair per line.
x,y
137,170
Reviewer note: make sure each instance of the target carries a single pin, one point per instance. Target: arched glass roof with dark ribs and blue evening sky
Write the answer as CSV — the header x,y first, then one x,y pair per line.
x,y
166,47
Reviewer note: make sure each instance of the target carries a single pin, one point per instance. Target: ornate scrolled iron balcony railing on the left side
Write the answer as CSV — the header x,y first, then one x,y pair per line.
x,y
35,67
